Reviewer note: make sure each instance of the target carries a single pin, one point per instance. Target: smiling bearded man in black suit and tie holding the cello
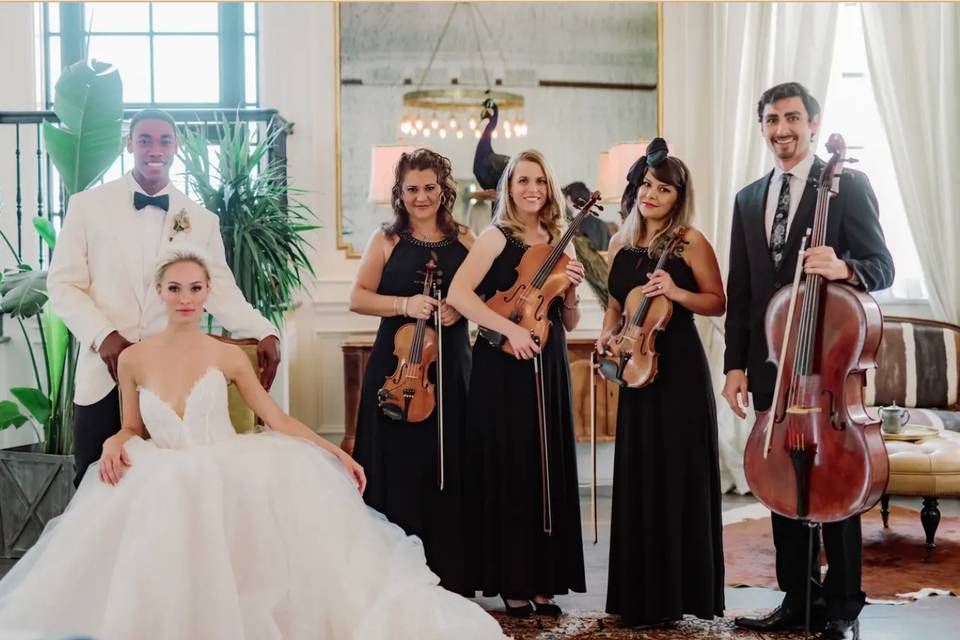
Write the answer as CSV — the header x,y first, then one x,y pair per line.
x,y
770,217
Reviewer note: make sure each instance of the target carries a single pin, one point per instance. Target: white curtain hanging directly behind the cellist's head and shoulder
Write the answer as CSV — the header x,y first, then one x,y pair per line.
x,y
718,59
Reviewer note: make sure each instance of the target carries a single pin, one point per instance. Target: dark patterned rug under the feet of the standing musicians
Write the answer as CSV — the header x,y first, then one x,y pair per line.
x,y
591,625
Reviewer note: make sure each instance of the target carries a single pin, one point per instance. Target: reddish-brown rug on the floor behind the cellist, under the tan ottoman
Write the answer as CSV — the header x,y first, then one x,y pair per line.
x,y
892,558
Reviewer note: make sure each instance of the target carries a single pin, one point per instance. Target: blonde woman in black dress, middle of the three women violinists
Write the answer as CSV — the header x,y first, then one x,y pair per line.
x,y
511,553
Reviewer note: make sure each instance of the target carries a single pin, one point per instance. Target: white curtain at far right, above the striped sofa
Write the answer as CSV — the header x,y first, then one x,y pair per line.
x,y
914,59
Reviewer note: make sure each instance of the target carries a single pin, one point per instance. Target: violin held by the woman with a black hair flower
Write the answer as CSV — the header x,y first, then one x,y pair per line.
x,y
633,361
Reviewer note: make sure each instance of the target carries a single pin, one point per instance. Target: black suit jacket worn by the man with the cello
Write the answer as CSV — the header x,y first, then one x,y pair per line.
x,y
853,230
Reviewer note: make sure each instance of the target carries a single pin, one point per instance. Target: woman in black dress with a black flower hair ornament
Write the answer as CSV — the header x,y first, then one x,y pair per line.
x,y
666,556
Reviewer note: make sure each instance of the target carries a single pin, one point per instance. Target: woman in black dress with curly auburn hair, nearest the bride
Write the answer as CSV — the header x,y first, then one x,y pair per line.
x,y
401,458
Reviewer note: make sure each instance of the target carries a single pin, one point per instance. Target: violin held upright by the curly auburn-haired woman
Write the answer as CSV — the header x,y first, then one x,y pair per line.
x,y
408,394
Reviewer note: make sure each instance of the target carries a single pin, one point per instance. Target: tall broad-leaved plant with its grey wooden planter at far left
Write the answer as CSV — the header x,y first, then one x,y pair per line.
x,y
35,485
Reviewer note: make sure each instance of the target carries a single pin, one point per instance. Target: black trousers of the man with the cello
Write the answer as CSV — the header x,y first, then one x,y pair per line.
x,y
840,591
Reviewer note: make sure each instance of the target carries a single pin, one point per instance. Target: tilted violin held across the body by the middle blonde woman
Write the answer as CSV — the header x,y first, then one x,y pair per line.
x,y
541,279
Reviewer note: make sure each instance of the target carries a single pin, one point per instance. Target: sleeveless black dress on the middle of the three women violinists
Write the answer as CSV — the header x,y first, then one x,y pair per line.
x,y
510,553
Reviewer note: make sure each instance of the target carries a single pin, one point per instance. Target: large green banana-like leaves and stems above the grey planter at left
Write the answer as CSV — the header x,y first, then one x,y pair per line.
x,y
89,103
